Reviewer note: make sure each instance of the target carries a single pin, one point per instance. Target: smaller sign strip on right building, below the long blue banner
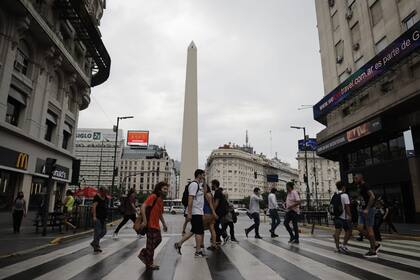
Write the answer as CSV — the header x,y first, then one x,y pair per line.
x,y
350,135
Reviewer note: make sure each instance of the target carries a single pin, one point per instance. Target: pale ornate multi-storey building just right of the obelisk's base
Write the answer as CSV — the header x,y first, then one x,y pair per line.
x,y
239,170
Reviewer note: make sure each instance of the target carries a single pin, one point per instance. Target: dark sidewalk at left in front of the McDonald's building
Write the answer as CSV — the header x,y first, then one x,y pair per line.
x,y
28,240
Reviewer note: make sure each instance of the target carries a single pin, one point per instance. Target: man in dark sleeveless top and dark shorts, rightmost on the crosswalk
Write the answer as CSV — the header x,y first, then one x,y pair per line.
x,y
367,215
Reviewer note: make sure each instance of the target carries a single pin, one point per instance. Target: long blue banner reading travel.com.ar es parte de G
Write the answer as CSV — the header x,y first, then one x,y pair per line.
x,y
403,46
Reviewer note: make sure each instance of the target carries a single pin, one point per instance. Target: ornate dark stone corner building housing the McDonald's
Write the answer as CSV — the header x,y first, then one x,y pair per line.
x,y
51,55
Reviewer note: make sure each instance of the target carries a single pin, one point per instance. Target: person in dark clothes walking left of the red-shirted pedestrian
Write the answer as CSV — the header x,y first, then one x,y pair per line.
x,y
99,213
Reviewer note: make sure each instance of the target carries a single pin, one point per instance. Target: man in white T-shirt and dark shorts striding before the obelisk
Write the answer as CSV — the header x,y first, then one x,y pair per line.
x,y
195,214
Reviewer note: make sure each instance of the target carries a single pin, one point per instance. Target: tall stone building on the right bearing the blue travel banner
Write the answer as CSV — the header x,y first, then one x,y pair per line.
x,y
371,104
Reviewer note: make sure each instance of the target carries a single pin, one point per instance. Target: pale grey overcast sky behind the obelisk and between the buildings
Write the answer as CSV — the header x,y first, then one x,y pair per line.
x,y
258,61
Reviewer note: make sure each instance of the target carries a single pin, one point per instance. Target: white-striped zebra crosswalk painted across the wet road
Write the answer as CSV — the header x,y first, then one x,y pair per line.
x,y
310,256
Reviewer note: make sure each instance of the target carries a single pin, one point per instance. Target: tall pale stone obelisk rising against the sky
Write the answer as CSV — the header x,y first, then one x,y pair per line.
x,y
189,154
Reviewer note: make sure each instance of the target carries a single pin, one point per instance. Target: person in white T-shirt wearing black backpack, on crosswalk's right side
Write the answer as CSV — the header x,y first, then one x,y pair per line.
x,y
342,217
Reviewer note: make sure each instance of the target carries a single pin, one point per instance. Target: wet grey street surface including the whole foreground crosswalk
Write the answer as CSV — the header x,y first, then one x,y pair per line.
x,y
313,258
